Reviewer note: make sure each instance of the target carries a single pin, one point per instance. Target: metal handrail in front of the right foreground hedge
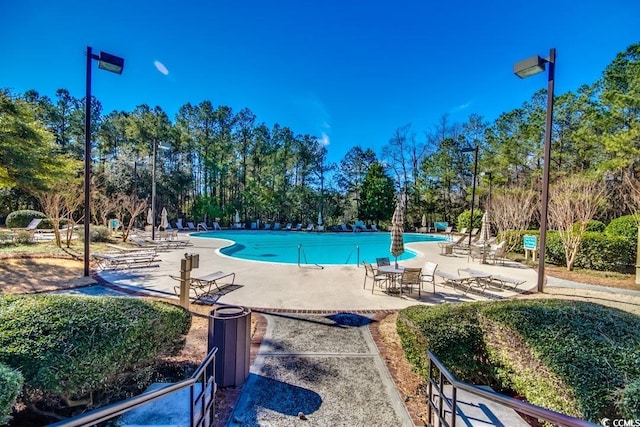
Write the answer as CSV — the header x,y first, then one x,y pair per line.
x,y
515,404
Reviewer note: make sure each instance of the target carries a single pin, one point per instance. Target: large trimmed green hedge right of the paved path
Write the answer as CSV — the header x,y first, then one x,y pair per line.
x,y
577,358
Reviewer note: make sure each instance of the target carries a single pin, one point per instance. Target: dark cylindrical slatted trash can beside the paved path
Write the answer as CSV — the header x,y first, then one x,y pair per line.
x,y
230,331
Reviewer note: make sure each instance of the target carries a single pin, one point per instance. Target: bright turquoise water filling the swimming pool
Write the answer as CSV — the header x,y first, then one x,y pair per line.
x,y
313,248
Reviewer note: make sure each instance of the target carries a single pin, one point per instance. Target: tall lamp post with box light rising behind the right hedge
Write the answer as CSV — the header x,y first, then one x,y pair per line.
x,y
524,69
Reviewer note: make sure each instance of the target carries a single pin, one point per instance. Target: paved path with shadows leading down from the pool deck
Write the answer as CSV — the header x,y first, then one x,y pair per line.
x,y
323,368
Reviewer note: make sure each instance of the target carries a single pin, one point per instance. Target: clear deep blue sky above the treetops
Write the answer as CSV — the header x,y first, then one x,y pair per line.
x,y
347,72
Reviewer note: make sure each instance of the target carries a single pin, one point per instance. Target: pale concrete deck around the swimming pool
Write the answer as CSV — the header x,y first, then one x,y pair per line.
x,y
309,287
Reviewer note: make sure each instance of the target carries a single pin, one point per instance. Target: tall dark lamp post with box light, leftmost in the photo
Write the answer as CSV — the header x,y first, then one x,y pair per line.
x,y
113,64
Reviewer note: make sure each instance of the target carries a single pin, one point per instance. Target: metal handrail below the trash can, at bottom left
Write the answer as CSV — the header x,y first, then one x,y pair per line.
x,y
108,412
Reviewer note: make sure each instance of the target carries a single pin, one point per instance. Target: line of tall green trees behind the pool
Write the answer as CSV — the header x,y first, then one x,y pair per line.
x,y
212,161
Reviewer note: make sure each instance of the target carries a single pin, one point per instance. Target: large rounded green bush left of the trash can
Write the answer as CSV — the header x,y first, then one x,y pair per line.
x,y
69,346
